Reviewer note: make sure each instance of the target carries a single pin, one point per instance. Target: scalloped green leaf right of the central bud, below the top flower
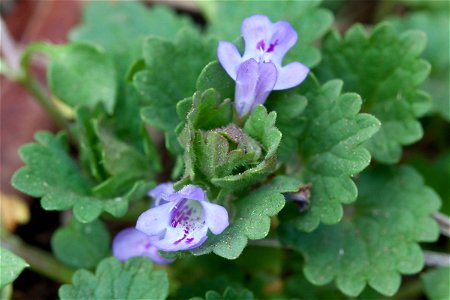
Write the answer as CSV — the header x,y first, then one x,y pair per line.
x,y
332,151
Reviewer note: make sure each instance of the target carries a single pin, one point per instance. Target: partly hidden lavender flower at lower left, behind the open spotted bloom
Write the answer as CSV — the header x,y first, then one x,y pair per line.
x,y
131,242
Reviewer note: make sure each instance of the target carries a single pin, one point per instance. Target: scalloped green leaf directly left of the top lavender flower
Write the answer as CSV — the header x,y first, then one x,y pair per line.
x,y
162,87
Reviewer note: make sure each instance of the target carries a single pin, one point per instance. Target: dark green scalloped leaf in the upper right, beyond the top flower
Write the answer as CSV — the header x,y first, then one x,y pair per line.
x,y
389,89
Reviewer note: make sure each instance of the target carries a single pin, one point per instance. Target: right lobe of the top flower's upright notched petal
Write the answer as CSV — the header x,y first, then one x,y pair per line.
x,y
283,38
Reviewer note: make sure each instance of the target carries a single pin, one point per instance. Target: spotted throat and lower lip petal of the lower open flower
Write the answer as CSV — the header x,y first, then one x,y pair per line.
x,y
187,228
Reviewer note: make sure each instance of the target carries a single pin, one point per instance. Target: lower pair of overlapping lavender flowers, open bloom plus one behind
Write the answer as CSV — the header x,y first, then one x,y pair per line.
x,y
176,221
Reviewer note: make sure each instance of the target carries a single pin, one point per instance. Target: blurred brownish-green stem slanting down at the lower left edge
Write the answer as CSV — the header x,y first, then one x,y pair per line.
x,y
40,261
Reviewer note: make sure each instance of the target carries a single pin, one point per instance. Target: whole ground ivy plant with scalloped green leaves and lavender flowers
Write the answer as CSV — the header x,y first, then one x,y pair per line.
x,y
263,155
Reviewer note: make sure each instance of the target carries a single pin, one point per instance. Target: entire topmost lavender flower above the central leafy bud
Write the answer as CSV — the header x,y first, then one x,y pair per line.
x,y
259,70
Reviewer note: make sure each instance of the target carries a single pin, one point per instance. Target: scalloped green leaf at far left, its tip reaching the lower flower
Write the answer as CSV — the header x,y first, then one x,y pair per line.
x,y
51,173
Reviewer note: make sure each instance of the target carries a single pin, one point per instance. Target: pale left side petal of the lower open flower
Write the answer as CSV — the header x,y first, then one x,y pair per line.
x,y
154,221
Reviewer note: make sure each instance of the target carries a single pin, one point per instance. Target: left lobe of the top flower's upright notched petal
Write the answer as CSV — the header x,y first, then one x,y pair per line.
x,y
255,29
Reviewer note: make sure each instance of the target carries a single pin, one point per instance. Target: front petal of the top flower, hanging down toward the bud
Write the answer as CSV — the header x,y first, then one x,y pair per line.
x,y
254,82
